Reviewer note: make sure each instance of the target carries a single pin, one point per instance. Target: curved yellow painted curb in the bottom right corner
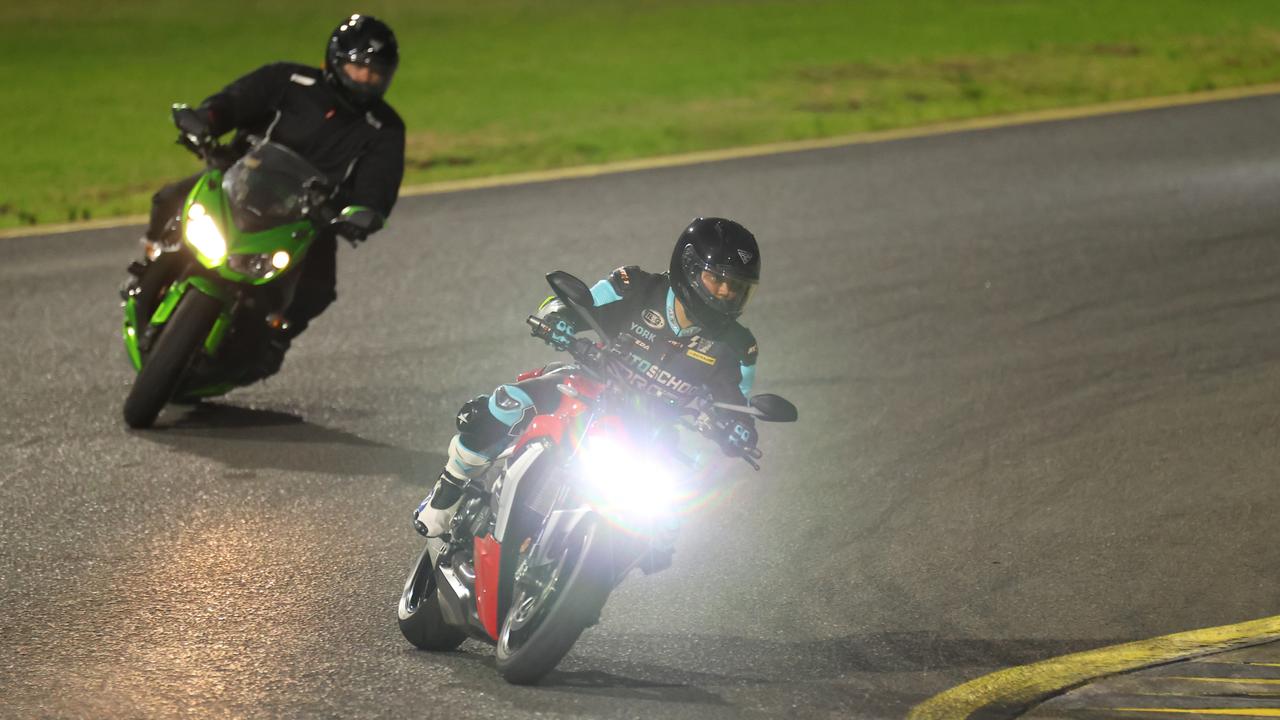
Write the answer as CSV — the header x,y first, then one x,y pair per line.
x,y
1011,692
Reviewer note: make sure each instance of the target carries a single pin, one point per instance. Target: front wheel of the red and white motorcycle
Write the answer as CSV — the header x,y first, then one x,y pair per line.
x,y
551,607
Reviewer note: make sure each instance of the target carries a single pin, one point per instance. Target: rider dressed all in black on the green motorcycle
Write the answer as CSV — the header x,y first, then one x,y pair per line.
x,y
337,120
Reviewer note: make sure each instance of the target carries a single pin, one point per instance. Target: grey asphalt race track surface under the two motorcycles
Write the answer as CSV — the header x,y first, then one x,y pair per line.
x,y
1037,371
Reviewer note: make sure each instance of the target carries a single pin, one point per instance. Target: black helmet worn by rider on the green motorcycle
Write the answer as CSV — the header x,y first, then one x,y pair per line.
x,y
362,40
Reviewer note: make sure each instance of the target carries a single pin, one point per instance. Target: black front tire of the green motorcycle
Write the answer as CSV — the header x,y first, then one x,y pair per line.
x,y
180,340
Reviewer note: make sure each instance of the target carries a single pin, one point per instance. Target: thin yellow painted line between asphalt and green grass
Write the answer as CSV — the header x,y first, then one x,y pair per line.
x,y
756,151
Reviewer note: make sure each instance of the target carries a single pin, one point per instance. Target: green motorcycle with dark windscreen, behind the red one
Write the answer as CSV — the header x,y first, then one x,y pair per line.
x,y
199,317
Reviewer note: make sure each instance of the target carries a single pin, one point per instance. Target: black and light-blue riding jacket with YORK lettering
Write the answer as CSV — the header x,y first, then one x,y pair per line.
x,y
665,359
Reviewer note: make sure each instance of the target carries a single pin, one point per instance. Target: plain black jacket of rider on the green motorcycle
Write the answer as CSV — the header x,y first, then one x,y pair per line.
x,y
362,151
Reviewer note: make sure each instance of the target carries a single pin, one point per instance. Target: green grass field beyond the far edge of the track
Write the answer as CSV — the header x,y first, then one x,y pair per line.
x,y
497,86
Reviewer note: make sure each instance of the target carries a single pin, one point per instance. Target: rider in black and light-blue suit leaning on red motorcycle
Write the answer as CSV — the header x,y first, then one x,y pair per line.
x,y
682,335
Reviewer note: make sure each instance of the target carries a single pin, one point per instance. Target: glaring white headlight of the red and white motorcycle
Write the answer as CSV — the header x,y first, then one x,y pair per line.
x,y
628,481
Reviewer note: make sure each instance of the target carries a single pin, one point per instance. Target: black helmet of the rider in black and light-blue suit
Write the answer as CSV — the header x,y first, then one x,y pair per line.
x,y
715,270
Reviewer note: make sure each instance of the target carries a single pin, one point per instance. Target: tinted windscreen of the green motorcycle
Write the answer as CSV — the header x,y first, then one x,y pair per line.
x,y
267,188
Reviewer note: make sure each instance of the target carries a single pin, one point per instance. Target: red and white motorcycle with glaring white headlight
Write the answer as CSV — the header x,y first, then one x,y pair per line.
x,y
586,495
